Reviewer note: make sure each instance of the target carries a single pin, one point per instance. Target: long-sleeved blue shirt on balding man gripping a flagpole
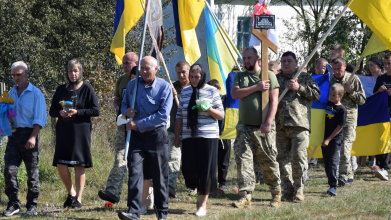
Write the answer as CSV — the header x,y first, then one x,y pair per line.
x,y
153,103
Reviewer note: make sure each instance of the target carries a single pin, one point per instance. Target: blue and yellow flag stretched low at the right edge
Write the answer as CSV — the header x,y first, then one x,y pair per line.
x,y
373,127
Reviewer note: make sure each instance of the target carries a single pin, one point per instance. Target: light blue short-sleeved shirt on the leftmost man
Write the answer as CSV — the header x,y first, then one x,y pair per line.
x,y
30,107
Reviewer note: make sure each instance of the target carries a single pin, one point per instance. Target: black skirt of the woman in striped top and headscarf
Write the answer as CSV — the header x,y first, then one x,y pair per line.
x,y
199,164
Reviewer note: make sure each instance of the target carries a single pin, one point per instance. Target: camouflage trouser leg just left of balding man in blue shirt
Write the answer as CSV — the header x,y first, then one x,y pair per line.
x,y
119,171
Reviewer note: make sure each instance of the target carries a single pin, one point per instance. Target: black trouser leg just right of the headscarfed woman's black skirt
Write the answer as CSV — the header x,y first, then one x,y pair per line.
x,y
223,155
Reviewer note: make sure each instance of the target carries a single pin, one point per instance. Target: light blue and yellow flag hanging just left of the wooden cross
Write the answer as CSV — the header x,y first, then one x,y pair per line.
x,y
220,60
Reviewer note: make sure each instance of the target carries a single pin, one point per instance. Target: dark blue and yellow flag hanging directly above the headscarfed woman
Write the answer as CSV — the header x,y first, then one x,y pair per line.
x,y
188,13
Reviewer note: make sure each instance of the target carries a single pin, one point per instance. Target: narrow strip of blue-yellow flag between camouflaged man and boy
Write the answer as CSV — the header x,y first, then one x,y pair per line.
x,y
318,112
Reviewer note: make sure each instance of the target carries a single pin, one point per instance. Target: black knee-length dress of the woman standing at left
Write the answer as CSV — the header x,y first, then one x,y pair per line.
x,y
73,135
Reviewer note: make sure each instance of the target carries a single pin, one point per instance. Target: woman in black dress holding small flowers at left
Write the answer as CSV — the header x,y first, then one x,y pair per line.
x,y
73,130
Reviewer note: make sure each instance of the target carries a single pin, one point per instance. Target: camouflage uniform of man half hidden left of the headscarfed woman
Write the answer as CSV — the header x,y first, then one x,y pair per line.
x,y
174,163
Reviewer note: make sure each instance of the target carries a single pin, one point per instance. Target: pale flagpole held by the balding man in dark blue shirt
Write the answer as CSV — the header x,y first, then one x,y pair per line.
x,y
129,133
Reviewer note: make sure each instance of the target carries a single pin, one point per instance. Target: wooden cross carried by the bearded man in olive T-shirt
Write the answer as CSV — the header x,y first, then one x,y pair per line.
x,y
266,44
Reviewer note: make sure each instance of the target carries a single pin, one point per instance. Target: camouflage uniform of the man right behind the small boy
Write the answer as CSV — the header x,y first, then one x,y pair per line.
x,y
350,101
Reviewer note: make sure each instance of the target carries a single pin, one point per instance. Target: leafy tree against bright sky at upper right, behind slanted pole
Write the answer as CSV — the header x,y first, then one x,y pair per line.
x,y
313,19
